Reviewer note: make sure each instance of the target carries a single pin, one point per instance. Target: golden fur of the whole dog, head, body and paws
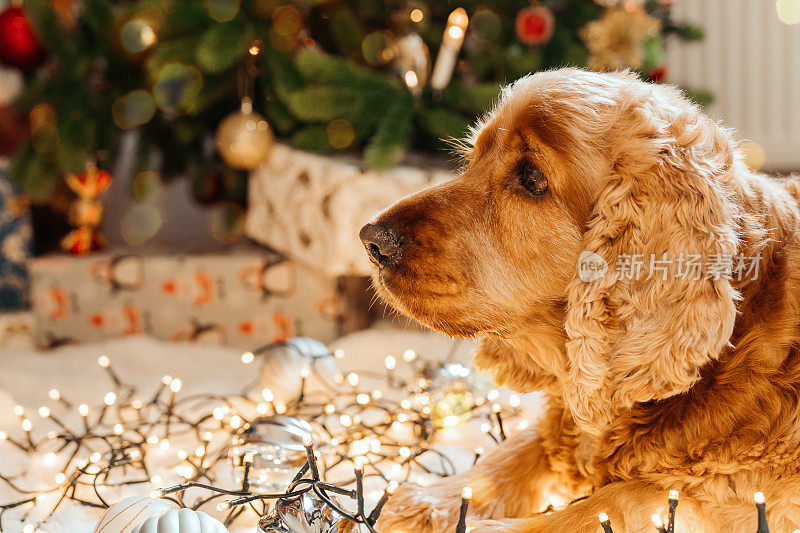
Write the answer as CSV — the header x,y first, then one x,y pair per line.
x,y
654,382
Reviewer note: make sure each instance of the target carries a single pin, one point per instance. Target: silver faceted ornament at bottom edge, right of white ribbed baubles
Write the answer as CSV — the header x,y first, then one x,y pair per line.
x,y
306,514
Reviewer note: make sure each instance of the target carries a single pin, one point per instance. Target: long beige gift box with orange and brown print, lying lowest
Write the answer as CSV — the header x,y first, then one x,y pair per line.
x,y
242,298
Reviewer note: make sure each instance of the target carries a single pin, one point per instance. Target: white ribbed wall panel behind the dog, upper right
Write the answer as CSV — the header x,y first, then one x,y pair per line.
x,y
751,62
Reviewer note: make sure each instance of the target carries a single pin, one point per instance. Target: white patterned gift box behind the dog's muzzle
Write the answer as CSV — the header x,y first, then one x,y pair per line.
x,y
310,206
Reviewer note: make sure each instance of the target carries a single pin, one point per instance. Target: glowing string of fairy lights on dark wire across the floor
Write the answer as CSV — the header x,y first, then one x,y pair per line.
x,y
114,444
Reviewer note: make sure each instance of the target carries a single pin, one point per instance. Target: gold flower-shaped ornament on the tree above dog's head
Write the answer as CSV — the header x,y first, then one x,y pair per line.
x,y
615,39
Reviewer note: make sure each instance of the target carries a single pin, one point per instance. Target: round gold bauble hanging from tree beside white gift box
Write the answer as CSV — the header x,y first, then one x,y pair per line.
x,y
244,138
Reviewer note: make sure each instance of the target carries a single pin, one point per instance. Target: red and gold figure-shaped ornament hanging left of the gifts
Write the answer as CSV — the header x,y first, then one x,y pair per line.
x,y
86,211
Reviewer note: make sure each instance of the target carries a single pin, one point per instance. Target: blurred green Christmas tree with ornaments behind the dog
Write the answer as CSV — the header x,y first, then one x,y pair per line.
x,y
373,76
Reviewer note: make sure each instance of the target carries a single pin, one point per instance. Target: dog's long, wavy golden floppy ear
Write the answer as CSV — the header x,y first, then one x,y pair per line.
x,y
669,199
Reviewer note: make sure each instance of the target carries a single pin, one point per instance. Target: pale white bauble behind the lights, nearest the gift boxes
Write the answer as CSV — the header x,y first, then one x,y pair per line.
x,y
282,367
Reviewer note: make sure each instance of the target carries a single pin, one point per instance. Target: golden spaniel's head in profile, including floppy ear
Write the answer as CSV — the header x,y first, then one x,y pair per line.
x,y
573,175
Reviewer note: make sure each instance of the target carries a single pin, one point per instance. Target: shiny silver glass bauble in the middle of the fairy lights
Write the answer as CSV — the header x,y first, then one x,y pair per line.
x,y
273,447
